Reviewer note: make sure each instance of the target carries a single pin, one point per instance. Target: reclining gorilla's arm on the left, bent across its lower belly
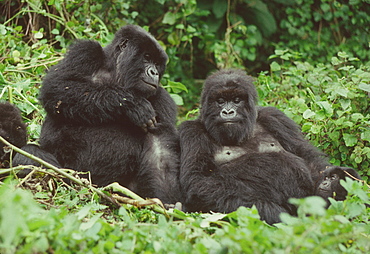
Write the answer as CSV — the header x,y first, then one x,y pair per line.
x,y
208,187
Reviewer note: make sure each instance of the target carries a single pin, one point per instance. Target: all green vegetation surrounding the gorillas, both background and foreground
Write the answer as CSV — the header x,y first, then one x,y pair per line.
x,y
311,59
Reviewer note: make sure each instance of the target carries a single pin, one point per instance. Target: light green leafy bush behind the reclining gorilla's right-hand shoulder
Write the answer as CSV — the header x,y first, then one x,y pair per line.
x,y
330,102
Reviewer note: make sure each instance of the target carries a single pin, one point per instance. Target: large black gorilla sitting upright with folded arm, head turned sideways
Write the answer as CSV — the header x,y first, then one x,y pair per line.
x,y
107,114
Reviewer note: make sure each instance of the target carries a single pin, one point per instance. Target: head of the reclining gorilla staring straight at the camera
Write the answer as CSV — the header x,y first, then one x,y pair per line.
x,y
228,107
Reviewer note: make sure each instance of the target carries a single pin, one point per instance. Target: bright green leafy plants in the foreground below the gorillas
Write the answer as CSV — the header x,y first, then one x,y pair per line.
x,y
75,222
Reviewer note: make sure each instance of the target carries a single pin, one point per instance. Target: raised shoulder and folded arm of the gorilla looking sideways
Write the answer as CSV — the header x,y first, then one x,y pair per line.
x,y
82,89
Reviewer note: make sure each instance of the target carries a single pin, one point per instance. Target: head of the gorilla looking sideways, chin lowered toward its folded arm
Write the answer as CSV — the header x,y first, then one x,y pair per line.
x,y
137,59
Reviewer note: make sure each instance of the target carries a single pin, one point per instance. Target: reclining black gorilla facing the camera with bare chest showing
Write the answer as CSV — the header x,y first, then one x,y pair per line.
x,y
236,154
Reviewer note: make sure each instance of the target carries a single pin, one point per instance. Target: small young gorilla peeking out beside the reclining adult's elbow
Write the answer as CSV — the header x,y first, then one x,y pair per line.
x,y
329,184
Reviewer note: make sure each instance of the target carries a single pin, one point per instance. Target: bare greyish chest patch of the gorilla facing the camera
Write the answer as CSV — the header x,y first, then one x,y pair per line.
x,y
257,146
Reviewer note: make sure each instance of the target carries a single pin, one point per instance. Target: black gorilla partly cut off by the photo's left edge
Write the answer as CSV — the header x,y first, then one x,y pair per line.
x,y
12,129
